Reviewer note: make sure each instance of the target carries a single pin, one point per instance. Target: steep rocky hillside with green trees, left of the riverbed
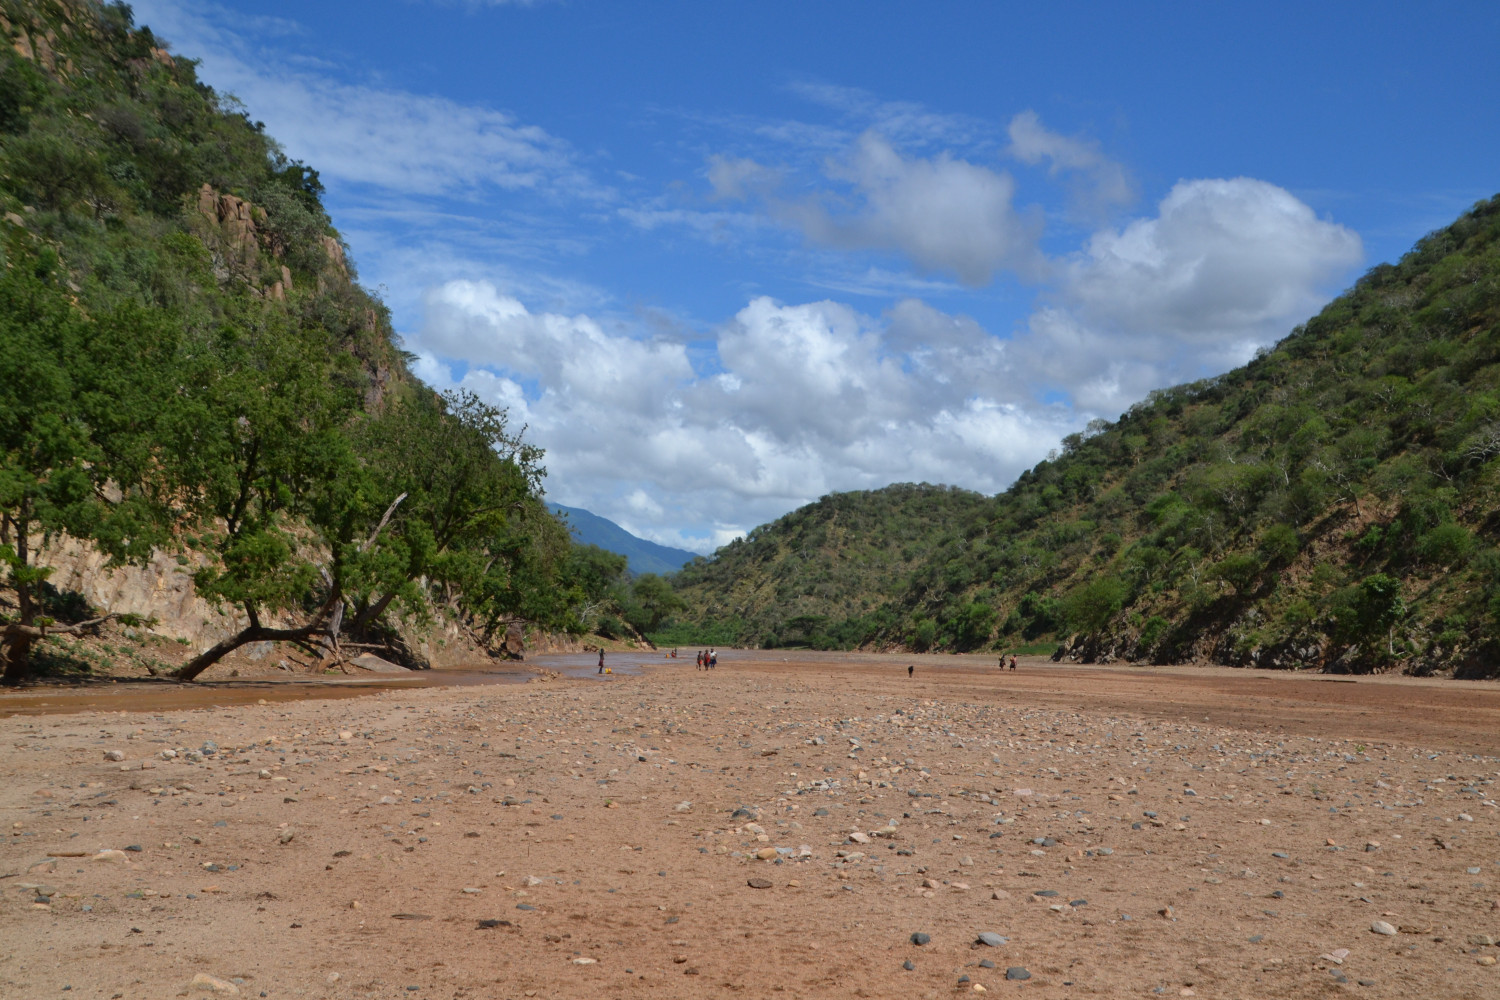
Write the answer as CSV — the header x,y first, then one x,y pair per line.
x,y
206,424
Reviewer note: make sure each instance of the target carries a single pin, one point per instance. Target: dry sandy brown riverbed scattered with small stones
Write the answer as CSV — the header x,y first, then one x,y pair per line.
x,y
821,827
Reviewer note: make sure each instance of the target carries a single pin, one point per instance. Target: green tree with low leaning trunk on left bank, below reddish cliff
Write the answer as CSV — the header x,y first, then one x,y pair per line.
x,y
284,507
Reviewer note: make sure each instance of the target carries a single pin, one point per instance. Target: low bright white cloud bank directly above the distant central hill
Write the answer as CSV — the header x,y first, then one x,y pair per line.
x,y
796,401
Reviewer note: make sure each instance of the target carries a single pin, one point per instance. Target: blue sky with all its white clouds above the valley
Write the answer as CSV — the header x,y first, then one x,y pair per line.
x,y
725,259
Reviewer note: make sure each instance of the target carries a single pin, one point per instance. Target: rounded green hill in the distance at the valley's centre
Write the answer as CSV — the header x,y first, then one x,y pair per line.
x,y
827,575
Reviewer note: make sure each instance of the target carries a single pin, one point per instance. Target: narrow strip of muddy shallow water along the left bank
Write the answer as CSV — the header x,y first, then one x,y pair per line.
x,y
163,696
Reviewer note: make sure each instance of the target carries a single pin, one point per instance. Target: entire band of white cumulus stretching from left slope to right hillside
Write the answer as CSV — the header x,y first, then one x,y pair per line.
x,y
790,401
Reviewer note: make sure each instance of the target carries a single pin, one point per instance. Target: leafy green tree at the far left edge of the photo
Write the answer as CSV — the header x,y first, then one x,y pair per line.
x,y
79,403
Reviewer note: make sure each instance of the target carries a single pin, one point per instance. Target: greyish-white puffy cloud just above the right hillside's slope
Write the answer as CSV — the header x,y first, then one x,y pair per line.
x,y
1223,268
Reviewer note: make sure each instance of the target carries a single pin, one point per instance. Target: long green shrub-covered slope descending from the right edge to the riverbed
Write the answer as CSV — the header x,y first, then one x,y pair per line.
x,y
1333,504
